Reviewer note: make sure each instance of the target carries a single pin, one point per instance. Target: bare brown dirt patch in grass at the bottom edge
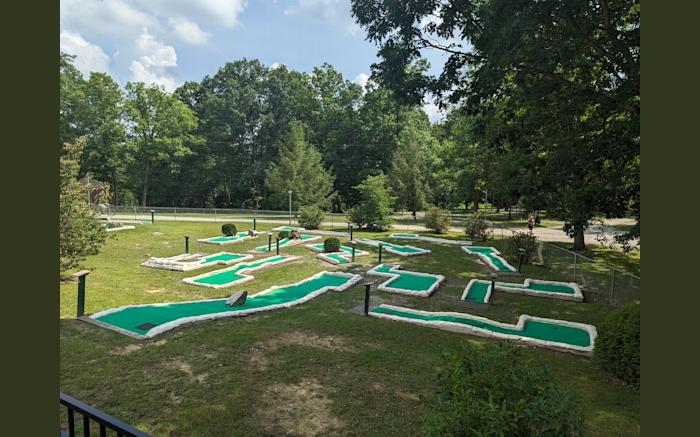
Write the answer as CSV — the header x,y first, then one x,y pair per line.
x,y
299,409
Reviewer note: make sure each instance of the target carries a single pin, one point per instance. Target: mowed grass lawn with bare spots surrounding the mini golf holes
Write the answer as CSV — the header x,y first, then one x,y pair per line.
x,y
312,369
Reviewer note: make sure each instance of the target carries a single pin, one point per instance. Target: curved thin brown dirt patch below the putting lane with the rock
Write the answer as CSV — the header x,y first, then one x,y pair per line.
x,y
260,352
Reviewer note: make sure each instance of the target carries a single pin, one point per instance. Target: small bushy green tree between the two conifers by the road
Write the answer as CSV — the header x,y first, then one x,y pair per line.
x,y
374,210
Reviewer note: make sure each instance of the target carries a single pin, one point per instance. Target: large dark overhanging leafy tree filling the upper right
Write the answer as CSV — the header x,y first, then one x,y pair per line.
x,y
566,72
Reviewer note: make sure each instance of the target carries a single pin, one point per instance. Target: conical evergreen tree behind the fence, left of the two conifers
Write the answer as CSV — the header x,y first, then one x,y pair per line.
x,y
298,168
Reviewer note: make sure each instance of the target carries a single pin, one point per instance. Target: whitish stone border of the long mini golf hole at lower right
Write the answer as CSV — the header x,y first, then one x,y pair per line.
x,y
472,330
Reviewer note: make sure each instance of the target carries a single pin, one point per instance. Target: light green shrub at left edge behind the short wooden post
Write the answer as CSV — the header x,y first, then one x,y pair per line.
x,y
80,233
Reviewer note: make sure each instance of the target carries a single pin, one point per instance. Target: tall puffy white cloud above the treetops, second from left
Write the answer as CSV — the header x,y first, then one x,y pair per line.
x,y
156,63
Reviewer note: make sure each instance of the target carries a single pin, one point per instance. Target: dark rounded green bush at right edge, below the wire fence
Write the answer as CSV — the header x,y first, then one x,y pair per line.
x,y
617,347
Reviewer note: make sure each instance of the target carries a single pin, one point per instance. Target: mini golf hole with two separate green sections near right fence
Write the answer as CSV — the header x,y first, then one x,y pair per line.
x,y
479,291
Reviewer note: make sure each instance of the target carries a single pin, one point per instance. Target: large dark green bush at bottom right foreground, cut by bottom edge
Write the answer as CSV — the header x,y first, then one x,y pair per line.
x,y
491,390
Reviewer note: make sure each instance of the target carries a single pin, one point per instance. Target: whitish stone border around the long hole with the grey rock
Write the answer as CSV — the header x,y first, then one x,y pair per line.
x,y
354,279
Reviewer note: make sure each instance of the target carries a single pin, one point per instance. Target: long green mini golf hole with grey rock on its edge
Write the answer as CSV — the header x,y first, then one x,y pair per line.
x,y
145,321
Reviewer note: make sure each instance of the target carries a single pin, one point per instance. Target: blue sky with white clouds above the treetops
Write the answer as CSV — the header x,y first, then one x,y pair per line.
x,y
170,41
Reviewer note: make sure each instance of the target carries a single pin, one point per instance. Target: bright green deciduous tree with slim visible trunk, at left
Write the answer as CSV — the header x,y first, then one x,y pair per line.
x,y
160,129
